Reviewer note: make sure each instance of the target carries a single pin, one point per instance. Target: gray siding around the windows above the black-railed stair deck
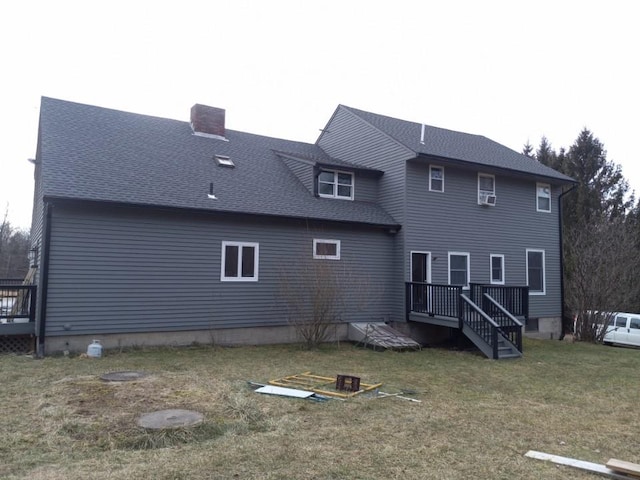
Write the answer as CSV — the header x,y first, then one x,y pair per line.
x,y
453,221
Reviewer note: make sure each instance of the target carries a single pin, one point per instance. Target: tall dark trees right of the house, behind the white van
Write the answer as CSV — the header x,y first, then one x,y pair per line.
x,y
601,235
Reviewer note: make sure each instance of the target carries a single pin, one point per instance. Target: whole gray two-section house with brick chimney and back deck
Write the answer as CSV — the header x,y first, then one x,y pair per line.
x,y
157,231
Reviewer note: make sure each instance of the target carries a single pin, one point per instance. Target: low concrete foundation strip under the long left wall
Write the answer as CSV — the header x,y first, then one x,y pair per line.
x,y
224,337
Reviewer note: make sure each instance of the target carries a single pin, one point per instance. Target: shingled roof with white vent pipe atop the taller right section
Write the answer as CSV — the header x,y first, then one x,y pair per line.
x,y
426,140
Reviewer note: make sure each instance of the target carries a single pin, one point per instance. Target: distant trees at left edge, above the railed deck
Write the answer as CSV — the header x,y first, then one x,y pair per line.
x,y
14,250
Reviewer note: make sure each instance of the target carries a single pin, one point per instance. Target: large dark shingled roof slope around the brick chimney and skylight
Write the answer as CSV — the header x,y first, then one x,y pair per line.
x,y
99,154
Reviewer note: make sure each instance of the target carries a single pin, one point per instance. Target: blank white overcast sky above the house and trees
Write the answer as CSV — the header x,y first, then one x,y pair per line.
x,y
512,71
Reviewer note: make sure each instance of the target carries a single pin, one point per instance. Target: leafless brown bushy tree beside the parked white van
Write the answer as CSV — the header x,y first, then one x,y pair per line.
x,y
603,276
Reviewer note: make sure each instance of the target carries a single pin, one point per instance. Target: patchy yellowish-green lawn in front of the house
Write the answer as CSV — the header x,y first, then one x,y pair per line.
x,y
476,418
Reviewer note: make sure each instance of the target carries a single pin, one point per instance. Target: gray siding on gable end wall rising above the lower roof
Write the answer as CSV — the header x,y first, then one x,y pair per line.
x,y
350,138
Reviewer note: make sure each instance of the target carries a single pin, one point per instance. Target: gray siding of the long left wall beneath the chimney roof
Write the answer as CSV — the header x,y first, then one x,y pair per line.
x,y
129,270
